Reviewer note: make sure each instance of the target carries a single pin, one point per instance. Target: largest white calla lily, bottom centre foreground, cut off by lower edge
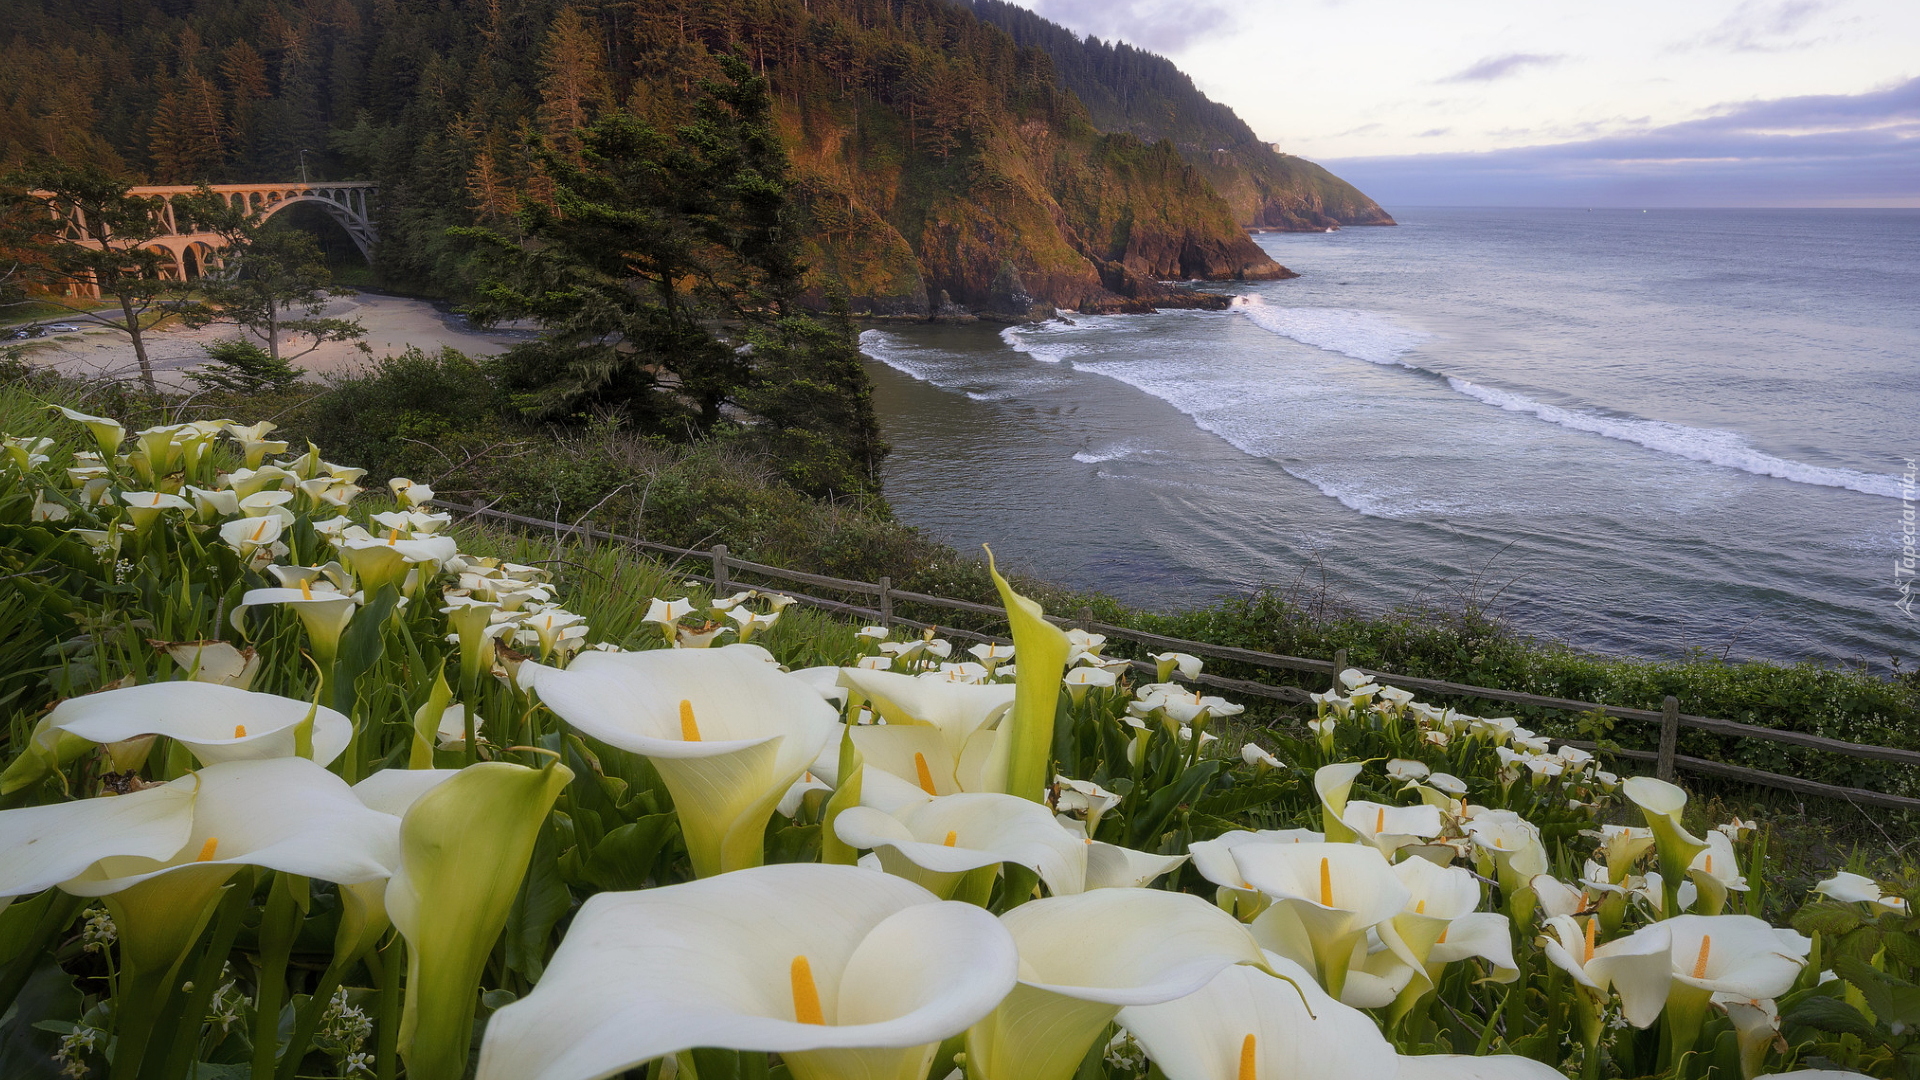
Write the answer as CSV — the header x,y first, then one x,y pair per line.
x,y
842,971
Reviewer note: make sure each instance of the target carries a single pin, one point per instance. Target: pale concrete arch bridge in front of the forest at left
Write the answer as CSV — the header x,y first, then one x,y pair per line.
x,y
195,251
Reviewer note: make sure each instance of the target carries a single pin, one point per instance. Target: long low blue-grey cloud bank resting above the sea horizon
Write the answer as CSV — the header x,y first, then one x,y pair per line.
x,y
1810,151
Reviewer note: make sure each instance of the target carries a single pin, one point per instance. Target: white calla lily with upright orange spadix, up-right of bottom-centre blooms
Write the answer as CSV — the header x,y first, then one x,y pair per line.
x,y
1332,895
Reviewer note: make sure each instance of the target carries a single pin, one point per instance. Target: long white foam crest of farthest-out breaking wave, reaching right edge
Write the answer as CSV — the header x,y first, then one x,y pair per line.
x,y
1378,339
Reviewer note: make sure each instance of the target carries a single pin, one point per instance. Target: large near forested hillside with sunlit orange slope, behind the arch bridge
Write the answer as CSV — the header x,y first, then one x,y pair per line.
x,y
932,153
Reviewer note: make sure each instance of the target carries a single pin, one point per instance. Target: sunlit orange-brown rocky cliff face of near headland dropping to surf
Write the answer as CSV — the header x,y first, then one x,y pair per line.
x,y
1042,216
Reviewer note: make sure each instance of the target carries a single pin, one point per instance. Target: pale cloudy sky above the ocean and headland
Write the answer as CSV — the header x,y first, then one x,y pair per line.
x,y
1550,103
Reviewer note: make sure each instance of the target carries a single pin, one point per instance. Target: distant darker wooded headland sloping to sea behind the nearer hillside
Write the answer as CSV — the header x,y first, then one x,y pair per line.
x,y
1145,95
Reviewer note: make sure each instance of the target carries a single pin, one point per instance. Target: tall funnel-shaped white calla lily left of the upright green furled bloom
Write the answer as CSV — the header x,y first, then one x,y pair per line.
x,y
727,731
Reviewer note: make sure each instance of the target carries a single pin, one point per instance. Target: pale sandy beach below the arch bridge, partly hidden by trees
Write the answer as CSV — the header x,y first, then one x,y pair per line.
x,y
393,326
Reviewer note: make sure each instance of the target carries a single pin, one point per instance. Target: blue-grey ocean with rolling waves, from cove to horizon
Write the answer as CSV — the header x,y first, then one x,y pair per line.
x,y
1641,433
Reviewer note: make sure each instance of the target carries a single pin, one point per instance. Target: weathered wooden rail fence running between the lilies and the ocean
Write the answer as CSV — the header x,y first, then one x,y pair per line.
x,y
1668,762
